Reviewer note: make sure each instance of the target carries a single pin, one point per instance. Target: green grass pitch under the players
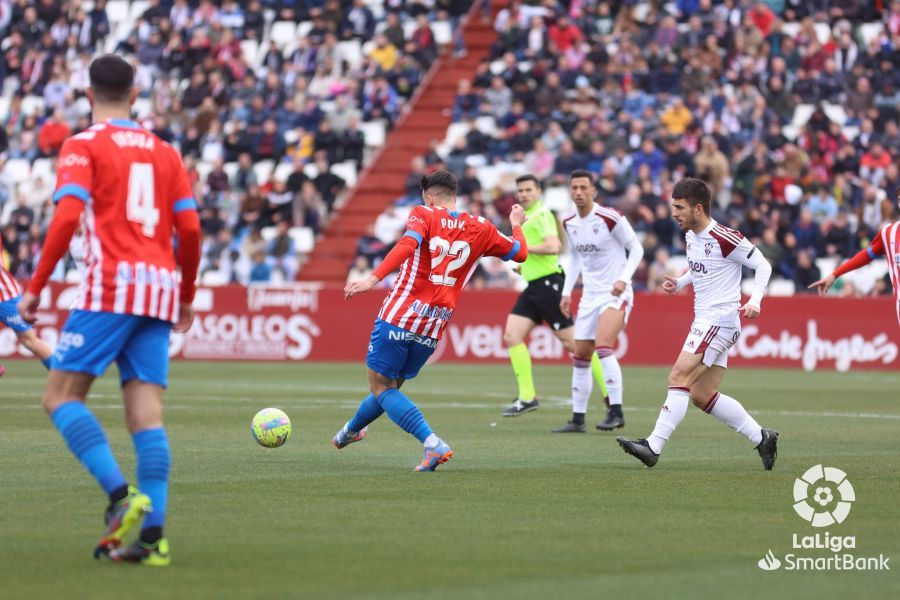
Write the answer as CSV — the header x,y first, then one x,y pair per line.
x,y
517,513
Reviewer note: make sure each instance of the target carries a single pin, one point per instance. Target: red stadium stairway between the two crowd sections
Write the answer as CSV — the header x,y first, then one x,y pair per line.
x,y
383,180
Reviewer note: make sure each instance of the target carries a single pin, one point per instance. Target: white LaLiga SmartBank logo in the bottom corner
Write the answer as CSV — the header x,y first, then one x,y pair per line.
x,y
823,497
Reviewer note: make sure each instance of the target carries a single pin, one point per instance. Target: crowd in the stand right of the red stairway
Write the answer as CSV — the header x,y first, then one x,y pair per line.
x,y
788,108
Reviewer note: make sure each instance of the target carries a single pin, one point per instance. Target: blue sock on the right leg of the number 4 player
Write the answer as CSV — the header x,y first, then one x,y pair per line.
x,y
153,460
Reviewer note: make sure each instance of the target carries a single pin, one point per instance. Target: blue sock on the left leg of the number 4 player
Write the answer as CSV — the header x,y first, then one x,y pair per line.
x,y
85,438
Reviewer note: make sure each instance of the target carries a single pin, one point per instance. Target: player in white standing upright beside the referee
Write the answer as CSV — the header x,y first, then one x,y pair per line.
x,y
599,238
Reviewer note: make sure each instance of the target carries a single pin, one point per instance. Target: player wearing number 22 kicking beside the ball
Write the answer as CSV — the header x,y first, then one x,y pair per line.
x,y
438,253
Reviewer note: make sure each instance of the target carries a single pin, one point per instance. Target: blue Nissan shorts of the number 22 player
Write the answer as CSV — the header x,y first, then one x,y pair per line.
x,y
397,353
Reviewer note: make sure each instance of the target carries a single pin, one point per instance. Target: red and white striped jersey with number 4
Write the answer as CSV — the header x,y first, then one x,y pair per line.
x,y
132,185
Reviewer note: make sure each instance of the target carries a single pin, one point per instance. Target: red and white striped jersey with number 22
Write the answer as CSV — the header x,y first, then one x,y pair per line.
x,y
449,246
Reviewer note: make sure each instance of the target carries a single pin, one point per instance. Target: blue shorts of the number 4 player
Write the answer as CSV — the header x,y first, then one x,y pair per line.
x,y
91,340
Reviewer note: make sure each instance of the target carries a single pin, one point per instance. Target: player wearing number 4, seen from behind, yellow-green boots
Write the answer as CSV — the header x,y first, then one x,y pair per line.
x,y
130,192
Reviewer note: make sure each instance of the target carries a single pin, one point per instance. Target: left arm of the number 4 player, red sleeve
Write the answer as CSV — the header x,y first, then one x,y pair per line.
x,y
74,176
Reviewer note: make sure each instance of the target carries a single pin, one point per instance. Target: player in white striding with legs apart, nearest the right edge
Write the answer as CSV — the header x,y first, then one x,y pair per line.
x,y
716,256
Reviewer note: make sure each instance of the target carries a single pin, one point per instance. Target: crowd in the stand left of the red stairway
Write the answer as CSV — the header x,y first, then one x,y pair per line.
x,y
271,102
